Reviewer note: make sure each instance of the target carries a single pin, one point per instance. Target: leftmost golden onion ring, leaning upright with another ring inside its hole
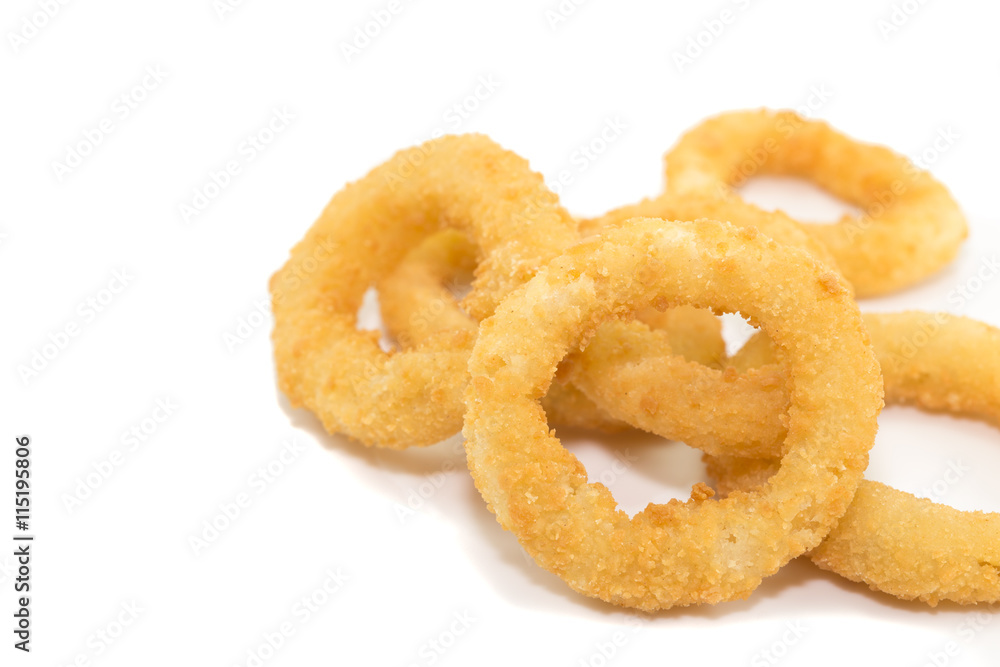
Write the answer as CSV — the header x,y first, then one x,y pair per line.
x,y
339,373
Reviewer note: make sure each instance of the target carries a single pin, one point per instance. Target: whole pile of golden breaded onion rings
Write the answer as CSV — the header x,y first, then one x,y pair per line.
x,y
617,310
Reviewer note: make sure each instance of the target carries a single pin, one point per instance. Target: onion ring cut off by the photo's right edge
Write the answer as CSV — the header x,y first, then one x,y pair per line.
x,y
891,540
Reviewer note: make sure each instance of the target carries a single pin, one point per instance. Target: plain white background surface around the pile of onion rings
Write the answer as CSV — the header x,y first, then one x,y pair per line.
x,y
334,507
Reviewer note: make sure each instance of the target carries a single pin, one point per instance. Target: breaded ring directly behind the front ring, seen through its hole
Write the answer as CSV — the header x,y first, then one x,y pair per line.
x,y
631,376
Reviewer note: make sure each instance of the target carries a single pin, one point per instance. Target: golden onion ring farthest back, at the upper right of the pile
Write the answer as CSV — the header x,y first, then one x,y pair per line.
x,y
910,228
